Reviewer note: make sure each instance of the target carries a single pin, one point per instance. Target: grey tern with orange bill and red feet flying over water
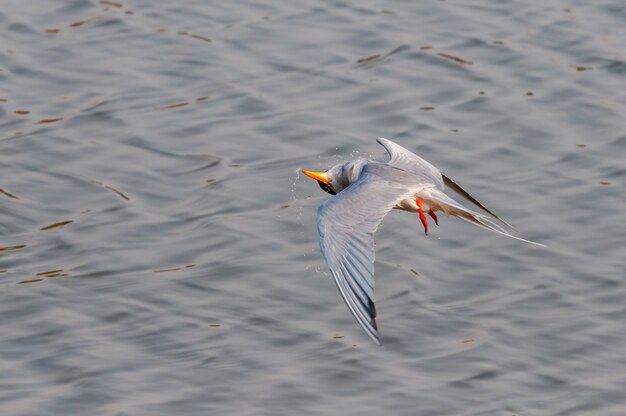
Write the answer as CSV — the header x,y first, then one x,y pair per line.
x,y
365,191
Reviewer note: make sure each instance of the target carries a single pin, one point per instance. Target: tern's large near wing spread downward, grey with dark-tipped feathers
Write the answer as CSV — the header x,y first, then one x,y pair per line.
x,y
346,224
